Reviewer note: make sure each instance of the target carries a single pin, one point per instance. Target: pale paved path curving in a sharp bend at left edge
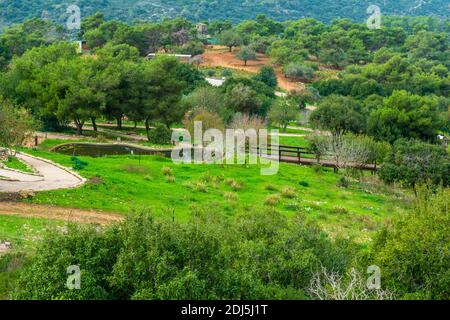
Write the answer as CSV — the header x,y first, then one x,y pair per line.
x,y
49,176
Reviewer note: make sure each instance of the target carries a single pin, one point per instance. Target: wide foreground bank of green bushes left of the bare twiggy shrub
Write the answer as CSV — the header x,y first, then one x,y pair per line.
x,y
209,257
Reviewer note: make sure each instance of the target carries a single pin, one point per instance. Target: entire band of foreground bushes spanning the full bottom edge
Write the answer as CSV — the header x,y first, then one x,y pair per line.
x,y
254,255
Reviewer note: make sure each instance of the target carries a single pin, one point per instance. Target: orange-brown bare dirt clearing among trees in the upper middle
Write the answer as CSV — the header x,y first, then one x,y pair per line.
x,y
221,57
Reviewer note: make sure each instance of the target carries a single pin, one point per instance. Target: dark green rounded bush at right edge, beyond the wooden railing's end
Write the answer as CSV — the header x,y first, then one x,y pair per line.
x,y
413,162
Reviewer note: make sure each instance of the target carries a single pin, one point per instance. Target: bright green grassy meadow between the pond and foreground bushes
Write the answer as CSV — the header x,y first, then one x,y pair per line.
x,y
121,184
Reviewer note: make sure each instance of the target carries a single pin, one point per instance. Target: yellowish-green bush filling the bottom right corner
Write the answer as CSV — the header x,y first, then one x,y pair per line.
x,y
413,251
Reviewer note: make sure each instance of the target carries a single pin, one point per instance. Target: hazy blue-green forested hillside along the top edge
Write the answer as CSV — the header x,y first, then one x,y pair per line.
x,y
14,11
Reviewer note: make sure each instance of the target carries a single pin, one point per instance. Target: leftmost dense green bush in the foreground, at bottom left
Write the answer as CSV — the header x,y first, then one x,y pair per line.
x,y
93,251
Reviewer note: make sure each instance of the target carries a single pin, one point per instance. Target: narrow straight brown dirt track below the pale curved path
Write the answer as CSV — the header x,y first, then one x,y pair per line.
x,y
56,213
